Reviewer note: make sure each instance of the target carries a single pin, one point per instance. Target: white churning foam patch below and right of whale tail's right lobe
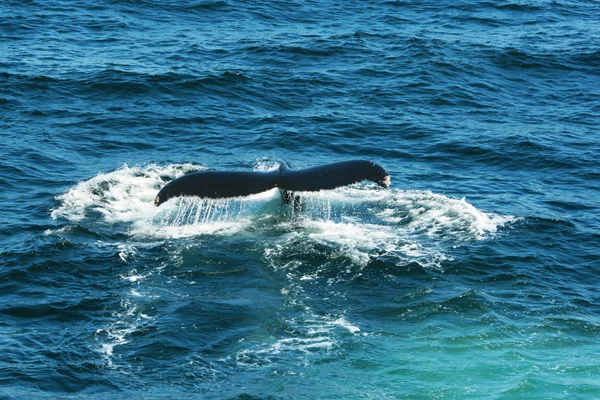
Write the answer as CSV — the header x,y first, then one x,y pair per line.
x,y
364,222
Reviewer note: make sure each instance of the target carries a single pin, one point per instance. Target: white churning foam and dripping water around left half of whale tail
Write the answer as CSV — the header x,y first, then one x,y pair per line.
x,y
127,194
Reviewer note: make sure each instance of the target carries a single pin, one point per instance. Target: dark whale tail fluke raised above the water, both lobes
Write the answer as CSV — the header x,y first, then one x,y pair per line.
x,y
223,184
